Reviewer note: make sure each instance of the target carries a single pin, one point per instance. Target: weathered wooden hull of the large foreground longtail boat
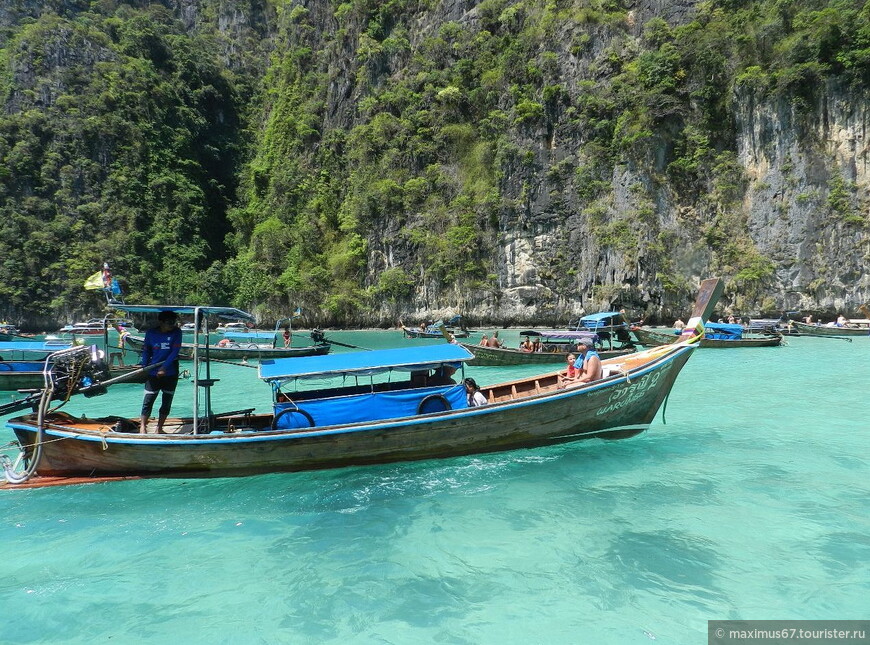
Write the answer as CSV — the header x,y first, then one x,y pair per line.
x,y
521,414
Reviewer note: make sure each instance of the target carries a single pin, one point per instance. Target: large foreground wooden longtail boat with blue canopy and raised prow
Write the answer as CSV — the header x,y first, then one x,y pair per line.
x,y
409,410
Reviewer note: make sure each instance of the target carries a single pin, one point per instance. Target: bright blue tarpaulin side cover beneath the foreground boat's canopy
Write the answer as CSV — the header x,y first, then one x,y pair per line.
x,y
371,406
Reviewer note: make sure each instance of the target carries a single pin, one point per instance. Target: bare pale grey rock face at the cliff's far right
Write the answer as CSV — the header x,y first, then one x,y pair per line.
x,y
807,200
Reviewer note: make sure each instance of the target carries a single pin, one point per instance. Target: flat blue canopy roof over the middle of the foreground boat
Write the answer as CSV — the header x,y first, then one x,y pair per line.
x,y
403,359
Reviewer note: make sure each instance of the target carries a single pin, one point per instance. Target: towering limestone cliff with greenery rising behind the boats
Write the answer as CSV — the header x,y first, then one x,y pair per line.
x,y
514,161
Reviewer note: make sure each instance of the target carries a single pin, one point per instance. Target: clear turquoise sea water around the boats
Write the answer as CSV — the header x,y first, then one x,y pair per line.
x,y
752,501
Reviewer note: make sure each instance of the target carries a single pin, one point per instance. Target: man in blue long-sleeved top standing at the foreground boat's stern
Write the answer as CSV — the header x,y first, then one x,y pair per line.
x,y
161,347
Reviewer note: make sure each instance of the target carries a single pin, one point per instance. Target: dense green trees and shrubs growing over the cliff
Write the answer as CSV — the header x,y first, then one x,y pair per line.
x,y
335,157
